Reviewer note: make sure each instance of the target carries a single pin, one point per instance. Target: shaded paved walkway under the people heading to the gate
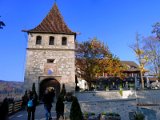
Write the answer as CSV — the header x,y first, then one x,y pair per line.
x,y
39,114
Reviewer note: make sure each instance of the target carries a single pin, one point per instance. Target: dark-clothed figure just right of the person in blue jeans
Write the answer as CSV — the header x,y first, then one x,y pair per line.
x,y
60,107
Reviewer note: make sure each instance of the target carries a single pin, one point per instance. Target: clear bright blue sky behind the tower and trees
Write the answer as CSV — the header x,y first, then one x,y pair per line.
x,y
114,22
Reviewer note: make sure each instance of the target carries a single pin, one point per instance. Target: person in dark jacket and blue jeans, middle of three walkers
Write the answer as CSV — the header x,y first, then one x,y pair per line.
x,y
48,99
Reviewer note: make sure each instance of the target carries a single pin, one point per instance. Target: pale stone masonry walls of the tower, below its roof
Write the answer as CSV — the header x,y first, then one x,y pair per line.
x,y
63,56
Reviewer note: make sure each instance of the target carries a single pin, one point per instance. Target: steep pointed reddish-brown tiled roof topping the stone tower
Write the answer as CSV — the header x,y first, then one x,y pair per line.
x,y
52,23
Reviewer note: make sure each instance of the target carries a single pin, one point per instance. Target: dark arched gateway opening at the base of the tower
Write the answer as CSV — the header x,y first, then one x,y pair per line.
x,y
49,82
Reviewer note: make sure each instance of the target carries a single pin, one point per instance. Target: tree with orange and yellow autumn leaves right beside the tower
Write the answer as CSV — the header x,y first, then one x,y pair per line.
x,y
92,58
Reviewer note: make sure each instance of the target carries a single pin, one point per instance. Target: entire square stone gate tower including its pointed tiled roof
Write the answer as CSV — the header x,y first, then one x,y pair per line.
x,y
50,59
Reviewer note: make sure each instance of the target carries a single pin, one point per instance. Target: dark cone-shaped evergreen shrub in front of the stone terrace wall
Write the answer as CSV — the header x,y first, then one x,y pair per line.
x,y
75,111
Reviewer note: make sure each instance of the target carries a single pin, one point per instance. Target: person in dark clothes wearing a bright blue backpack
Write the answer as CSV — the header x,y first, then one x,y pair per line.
x,y
31,106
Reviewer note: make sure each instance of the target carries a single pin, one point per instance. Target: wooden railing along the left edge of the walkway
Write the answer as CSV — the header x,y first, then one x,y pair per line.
x,y
14,107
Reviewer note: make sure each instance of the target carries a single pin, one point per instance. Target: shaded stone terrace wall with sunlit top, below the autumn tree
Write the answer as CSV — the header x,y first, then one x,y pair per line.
x,y
108,101
